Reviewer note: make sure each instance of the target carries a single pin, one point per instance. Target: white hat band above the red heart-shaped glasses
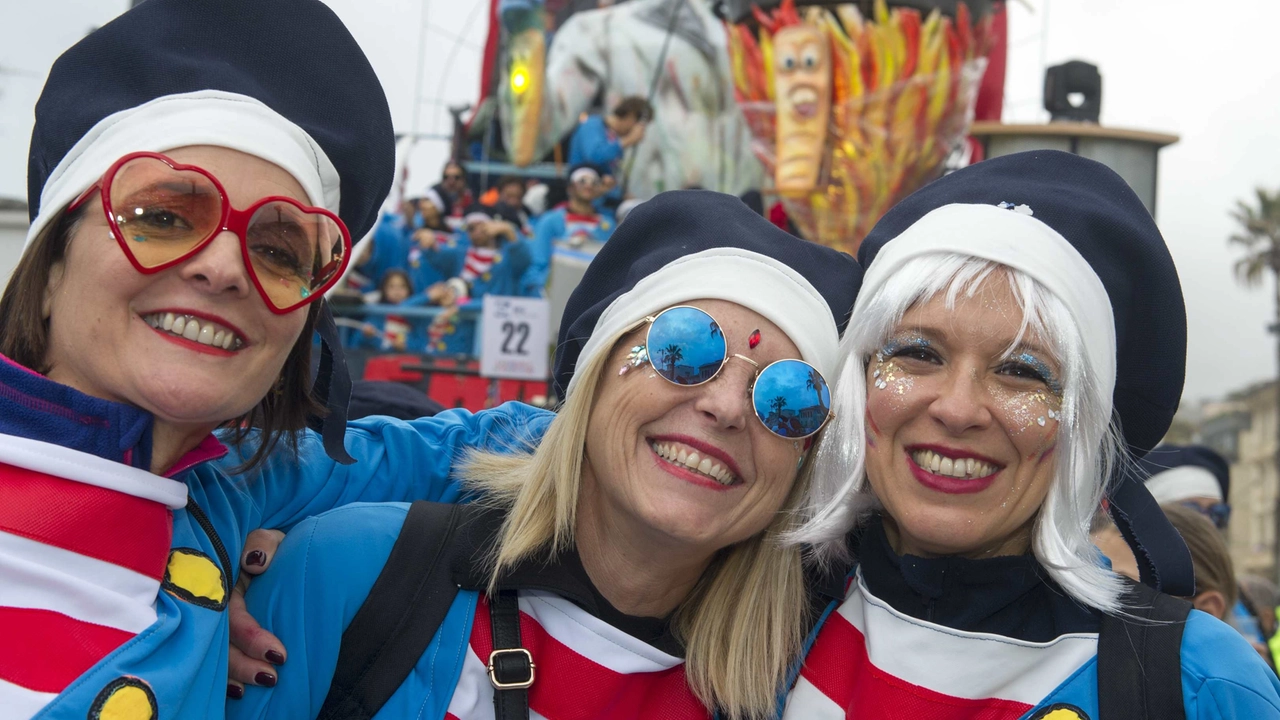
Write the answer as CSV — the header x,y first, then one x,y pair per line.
x,y
208,117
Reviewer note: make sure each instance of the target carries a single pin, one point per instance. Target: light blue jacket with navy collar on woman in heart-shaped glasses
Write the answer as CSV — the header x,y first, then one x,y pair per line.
x,y
184,655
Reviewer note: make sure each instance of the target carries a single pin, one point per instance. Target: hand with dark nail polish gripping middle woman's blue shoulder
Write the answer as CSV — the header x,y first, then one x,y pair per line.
x,y
254,653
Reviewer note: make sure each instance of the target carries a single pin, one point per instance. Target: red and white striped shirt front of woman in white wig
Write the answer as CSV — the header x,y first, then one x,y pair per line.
x,y
874,662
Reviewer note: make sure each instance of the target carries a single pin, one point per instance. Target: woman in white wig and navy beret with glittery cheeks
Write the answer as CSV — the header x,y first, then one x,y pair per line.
x,y
1021,329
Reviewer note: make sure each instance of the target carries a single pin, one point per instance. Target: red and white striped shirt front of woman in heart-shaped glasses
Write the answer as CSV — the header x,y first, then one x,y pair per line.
x,y
84,549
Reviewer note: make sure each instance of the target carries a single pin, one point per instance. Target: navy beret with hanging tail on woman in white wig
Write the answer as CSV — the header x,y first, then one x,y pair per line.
x,y
1100,216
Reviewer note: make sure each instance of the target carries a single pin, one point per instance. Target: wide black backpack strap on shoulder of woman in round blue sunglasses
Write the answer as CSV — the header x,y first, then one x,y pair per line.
x,y
401,616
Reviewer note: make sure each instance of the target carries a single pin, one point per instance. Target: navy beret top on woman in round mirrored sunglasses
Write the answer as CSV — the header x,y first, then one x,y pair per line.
x,y
679,224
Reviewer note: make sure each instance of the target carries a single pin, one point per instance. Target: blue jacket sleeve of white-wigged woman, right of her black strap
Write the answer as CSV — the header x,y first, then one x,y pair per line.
x,y
1223,676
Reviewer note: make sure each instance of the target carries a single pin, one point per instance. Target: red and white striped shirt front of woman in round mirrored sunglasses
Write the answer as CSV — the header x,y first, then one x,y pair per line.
x,y
586,669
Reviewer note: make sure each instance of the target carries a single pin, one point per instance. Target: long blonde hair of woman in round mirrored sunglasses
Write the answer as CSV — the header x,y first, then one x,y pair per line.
x,y
743,625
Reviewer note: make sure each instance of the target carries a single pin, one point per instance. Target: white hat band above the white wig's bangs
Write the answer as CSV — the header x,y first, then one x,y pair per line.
x,y
1018,240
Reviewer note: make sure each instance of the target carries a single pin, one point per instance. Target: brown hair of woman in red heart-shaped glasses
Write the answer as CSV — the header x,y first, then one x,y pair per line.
x,y
25,340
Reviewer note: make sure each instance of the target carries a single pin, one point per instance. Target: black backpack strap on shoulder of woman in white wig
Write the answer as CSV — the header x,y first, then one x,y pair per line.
x,y
1140,659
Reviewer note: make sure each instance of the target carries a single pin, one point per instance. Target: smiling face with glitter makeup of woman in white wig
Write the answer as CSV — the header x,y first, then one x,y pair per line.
x,y
962,431
